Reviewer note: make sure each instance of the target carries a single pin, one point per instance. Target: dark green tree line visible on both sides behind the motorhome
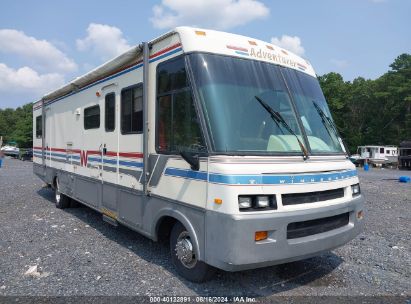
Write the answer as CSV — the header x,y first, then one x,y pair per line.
x,y
365,111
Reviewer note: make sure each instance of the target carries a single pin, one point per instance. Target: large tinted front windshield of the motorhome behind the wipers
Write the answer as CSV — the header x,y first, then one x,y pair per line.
x,y
227,89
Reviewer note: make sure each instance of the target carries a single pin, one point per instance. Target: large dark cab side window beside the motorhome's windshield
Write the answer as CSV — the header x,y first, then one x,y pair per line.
x,y
177,124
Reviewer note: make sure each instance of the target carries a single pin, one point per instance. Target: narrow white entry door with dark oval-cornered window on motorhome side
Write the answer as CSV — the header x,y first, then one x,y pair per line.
x,y
109,149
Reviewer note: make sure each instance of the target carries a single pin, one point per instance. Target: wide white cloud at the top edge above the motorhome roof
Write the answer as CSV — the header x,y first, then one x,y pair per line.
x,y
218,14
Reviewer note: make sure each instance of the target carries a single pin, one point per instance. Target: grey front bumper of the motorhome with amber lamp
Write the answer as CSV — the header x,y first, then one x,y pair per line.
x,y
230,243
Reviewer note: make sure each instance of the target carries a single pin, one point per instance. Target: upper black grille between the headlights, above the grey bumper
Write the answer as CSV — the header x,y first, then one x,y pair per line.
x,y
311,197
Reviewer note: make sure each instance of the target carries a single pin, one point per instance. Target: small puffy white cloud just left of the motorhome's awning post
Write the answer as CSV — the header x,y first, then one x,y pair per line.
x,y
104,40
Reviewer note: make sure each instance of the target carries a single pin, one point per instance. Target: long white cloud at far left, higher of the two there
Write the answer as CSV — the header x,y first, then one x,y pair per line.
x,y
40,53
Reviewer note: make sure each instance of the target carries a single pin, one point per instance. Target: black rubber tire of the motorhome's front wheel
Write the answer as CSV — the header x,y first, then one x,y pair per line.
x,y
192,270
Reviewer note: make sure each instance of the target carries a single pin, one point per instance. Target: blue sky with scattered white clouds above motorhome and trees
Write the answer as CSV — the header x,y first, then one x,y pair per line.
x,y
45,43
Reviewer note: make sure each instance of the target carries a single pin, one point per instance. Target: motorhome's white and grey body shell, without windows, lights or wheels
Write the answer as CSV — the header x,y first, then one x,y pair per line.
x,y
104,170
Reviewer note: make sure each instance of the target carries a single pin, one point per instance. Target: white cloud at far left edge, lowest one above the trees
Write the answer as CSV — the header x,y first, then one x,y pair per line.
x,y
26,79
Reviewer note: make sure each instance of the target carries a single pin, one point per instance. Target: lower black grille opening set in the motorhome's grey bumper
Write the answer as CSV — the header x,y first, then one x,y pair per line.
x,y
306,228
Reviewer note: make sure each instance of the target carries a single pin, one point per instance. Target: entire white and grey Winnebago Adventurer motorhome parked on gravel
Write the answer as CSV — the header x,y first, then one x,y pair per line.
x,y
220,142
